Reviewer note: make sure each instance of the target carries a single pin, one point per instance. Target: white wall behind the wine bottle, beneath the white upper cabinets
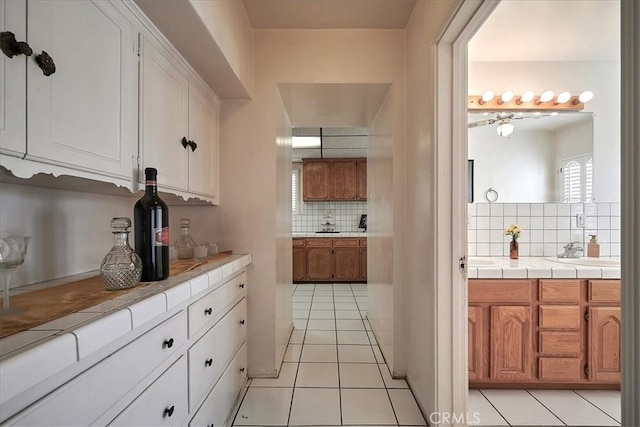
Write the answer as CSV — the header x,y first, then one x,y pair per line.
x,y
71,230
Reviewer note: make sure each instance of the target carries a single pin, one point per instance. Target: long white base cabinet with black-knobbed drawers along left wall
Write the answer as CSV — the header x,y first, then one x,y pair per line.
x,y
188,367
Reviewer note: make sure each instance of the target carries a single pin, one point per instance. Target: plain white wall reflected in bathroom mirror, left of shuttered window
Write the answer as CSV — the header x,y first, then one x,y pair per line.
x,y
521,168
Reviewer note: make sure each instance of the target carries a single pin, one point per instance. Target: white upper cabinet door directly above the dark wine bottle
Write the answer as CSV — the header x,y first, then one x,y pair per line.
x,y
164,117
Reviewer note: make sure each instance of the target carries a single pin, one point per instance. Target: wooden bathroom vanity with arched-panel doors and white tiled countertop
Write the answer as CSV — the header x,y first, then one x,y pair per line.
x,y
536,323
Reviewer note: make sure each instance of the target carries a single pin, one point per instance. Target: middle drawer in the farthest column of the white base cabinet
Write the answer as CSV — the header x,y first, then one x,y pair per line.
x,y
211,354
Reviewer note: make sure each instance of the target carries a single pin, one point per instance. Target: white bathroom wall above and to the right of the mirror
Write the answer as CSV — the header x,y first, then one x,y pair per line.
x,y
601,77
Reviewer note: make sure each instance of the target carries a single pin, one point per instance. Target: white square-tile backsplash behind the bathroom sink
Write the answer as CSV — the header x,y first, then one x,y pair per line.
x,y
546,227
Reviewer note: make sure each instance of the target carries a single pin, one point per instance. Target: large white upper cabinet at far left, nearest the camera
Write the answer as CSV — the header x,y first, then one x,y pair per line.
x,y
80,120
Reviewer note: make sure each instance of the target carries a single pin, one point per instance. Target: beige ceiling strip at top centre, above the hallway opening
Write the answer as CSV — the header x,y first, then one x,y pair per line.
x,y
329,14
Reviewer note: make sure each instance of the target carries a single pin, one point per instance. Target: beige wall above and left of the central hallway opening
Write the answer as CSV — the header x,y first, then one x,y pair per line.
x,y
247,144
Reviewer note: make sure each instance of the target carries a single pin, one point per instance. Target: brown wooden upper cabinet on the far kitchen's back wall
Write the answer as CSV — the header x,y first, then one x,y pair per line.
x,y
334,179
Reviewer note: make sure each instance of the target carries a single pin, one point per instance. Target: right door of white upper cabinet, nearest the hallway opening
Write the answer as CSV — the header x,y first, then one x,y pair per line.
x,y
203,130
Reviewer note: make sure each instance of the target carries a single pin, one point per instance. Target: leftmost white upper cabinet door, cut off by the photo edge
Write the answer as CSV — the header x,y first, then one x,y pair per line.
x,y
13,82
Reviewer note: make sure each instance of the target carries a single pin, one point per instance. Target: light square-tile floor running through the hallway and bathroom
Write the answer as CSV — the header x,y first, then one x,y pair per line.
x,y
334,374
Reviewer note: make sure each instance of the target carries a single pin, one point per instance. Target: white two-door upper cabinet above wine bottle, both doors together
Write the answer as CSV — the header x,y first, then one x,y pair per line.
x,y
178,125
